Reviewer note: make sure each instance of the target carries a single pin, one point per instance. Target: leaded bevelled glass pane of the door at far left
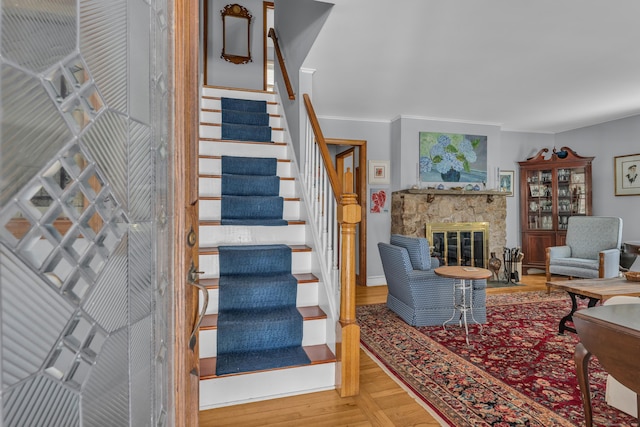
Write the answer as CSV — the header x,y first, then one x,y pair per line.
x,y
85,199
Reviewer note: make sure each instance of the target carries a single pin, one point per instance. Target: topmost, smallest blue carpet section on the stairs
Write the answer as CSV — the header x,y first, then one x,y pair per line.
x,y
245,120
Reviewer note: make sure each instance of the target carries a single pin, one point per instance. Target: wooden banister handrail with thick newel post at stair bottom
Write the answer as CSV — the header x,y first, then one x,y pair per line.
x,y
348,215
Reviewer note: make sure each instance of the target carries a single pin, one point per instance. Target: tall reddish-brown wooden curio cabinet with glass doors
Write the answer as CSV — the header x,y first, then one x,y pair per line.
x,y
553,186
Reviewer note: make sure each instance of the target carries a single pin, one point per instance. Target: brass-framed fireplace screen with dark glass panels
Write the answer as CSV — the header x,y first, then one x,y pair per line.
x,y
459,243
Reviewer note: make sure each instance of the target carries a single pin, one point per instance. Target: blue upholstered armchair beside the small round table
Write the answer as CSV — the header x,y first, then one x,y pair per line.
x,y
418,295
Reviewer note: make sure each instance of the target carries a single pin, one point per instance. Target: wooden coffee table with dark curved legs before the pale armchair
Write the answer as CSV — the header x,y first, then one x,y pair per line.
x,y
594,289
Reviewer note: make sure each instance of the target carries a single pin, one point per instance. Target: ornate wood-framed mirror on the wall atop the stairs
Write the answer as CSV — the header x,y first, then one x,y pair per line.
x,y
236,34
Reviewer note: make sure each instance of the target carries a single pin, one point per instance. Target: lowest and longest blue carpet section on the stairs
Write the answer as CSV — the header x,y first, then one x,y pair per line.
x,y
259,326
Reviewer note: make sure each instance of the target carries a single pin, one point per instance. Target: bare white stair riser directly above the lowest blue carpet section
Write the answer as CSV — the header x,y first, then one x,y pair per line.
x,y
216,235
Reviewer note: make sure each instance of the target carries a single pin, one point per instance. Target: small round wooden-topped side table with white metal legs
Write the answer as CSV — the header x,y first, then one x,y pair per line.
x,y
463,282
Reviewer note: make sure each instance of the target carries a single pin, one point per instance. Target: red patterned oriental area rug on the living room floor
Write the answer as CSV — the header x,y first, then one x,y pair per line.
x,y
516,370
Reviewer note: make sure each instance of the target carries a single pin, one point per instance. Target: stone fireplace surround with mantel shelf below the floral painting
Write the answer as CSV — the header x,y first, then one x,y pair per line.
x,y
413,211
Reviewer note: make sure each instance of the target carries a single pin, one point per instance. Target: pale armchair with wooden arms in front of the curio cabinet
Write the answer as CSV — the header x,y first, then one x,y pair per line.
x,y
591,249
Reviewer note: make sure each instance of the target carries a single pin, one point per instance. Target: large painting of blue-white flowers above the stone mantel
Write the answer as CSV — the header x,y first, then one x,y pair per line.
x,y
452,157
